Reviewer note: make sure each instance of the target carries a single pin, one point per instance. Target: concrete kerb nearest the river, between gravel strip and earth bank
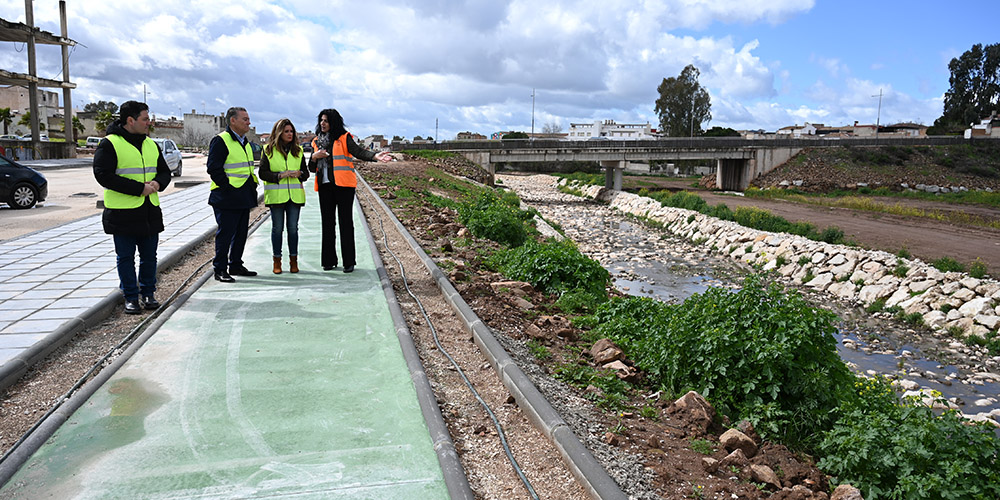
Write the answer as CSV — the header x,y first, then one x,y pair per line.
x,y
591,474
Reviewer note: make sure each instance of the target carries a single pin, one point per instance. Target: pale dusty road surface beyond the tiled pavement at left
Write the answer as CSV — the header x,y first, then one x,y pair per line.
x,y
73,194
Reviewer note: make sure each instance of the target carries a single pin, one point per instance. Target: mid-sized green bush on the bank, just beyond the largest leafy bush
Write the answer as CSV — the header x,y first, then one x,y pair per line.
x,y
553,267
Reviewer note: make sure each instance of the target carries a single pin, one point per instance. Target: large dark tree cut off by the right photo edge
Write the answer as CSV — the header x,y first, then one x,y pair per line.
x,y
974,87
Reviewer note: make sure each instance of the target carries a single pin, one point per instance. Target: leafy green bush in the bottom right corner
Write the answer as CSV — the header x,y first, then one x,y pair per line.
x,y
889,449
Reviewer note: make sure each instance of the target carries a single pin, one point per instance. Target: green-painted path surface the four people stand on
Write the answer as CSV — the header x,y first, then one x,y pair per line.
x,y
289,385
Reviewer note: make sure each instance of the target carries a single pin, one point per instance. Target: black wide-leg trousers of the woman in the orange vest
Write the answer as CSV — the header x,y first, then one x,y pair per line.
x,y
336,203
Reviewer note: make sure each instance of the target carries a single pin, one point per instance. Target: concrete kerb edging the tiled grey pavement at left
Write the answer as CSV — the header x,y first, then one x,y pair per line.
x,y
15,368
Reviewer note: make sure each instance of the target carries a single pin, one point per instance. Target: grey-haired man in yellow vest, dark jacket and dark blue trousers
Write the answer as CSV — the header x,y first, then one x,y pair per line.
x,y
233,194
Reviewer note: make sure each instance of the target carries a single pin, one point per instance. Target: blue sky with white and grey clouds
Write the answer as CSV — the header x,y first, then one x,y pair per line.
x,y
440,67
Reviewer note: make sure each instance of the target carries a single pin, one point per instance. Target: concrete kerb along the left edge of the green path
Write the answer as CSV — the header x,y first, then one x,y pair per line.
x,y
51,424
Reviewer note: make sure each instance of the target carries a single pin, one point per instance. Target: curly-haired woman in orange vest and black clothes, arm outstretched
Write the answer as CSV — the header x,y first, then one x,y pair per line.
x,y
333,151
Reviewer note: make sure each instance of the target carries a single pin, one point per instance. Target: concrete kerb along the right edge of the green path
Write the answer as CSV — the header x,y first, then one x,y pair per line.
x,y
455,478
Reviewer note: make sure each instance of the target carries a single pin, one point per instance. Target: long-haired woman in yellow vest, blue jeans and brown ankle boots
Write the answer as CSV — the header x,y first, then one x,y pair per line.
x,y
283,169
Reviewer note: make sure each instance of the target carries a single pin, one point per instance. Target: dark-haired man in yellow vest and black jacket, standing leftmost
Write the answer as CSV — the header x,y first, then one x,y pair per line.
x,y
131,168
